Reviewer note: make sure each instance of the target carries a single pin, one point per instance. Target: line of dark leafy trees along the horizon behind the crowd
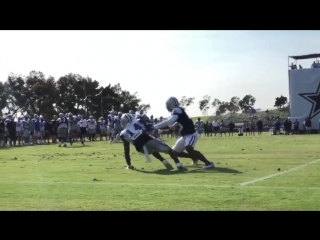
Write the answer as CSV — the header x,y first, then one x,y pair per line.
x,y
37,93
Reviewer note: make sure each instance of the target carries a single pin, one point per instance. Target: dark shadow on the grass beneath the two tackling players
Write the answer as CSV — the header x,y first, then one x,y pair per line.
x,y
192,170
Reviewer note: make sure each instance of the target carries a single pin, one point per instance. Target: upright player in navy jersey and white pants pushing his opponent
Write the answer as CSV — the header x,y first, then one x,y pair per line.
x,y
189,136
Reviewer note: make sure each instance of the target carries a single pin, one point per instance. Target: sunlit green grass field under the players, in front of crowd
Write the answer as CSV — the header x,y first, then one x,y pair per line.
x,y
253,173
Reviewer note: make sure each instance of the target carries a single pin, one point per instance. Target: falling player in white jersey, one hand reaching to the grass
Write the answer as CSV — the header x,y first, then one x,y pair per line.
x,y
135,133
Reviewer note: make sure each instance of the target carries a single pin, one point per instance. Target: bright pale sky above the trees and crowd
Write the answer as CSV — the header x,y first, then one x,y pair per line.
x,y
159,64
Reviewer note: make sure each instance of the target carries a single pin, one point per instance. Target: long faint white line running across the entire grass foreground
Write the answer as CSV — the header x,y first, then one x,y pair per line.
x,y
157,185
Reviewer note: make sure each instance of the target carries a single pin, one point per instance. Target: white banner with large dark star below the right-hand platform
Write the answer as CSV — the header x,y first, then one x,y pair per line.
x,y
304,95
